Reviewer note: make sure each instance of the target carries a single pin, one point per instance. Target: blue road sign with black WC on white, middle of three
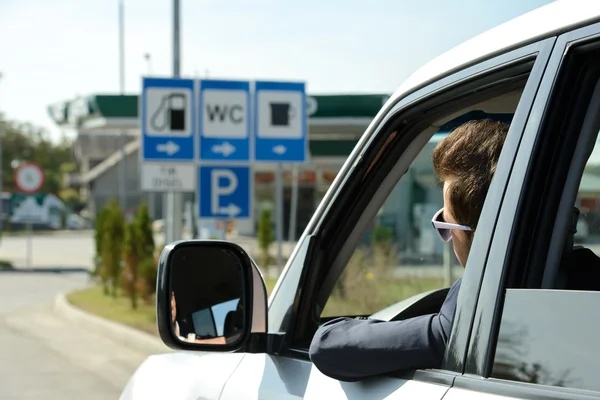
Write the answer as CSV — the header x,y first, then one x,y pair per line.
x,y
224,114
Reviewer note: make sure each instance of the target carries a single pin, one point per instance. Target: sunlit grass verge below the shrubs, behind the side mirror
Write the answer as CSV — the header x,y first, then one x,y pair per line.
x,y
119,310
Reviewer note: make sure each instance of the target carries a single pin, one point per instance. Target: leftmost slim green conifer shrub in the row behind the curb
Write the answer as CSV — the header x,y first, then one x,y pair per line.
x,y
112,245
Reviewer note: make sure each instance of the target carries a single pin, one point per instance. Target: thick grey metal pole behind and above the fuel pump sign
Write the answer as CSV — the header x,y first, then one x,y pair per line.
x,y
173,201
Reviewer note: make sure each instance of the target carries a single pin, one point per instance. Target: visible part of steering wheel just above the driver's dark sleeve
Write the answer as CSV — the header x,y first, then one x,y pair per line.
x,y
421,304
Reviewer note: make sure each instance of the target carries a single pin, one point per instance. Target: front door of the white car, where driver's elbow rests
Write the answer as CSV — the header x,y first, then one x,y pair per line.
x,y
389,178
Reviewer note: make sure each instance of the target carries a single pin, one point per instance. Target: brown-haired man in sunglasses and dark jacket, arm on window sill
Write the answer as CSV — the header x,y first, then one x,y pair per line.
x,y
350,349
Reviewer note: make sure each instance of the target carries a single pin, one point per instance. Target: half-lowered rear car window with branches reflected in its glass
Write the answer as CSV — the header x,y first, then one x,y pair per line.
x,y
549,336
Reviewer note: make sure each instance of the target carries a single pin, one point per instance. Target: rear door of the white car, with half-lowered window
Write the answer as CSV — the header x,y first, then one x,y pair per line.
x,y
535,330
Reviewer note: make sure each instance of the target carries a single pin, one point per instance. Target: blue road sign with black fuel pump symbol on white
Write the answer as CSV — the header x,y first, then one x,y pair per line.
x,y
168,119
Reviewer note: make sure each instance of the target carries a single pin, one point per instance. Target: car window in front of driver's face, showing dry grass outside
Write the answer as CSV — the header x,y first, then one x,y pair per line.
x,y
401,254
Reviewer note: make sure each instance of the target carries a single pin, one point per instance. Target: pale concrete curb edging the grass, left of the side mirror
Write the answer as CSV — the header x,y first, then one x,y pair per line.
x,y
130,337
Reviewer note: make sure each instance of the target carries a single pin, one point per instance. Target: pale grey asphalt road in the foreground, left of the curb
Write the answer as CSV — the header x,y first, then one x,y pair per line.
x,y
45,356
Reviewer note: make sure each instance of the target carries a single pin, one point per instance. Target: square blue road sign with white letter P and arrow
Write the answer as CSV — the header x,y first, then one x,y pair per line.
x,y
225,192
